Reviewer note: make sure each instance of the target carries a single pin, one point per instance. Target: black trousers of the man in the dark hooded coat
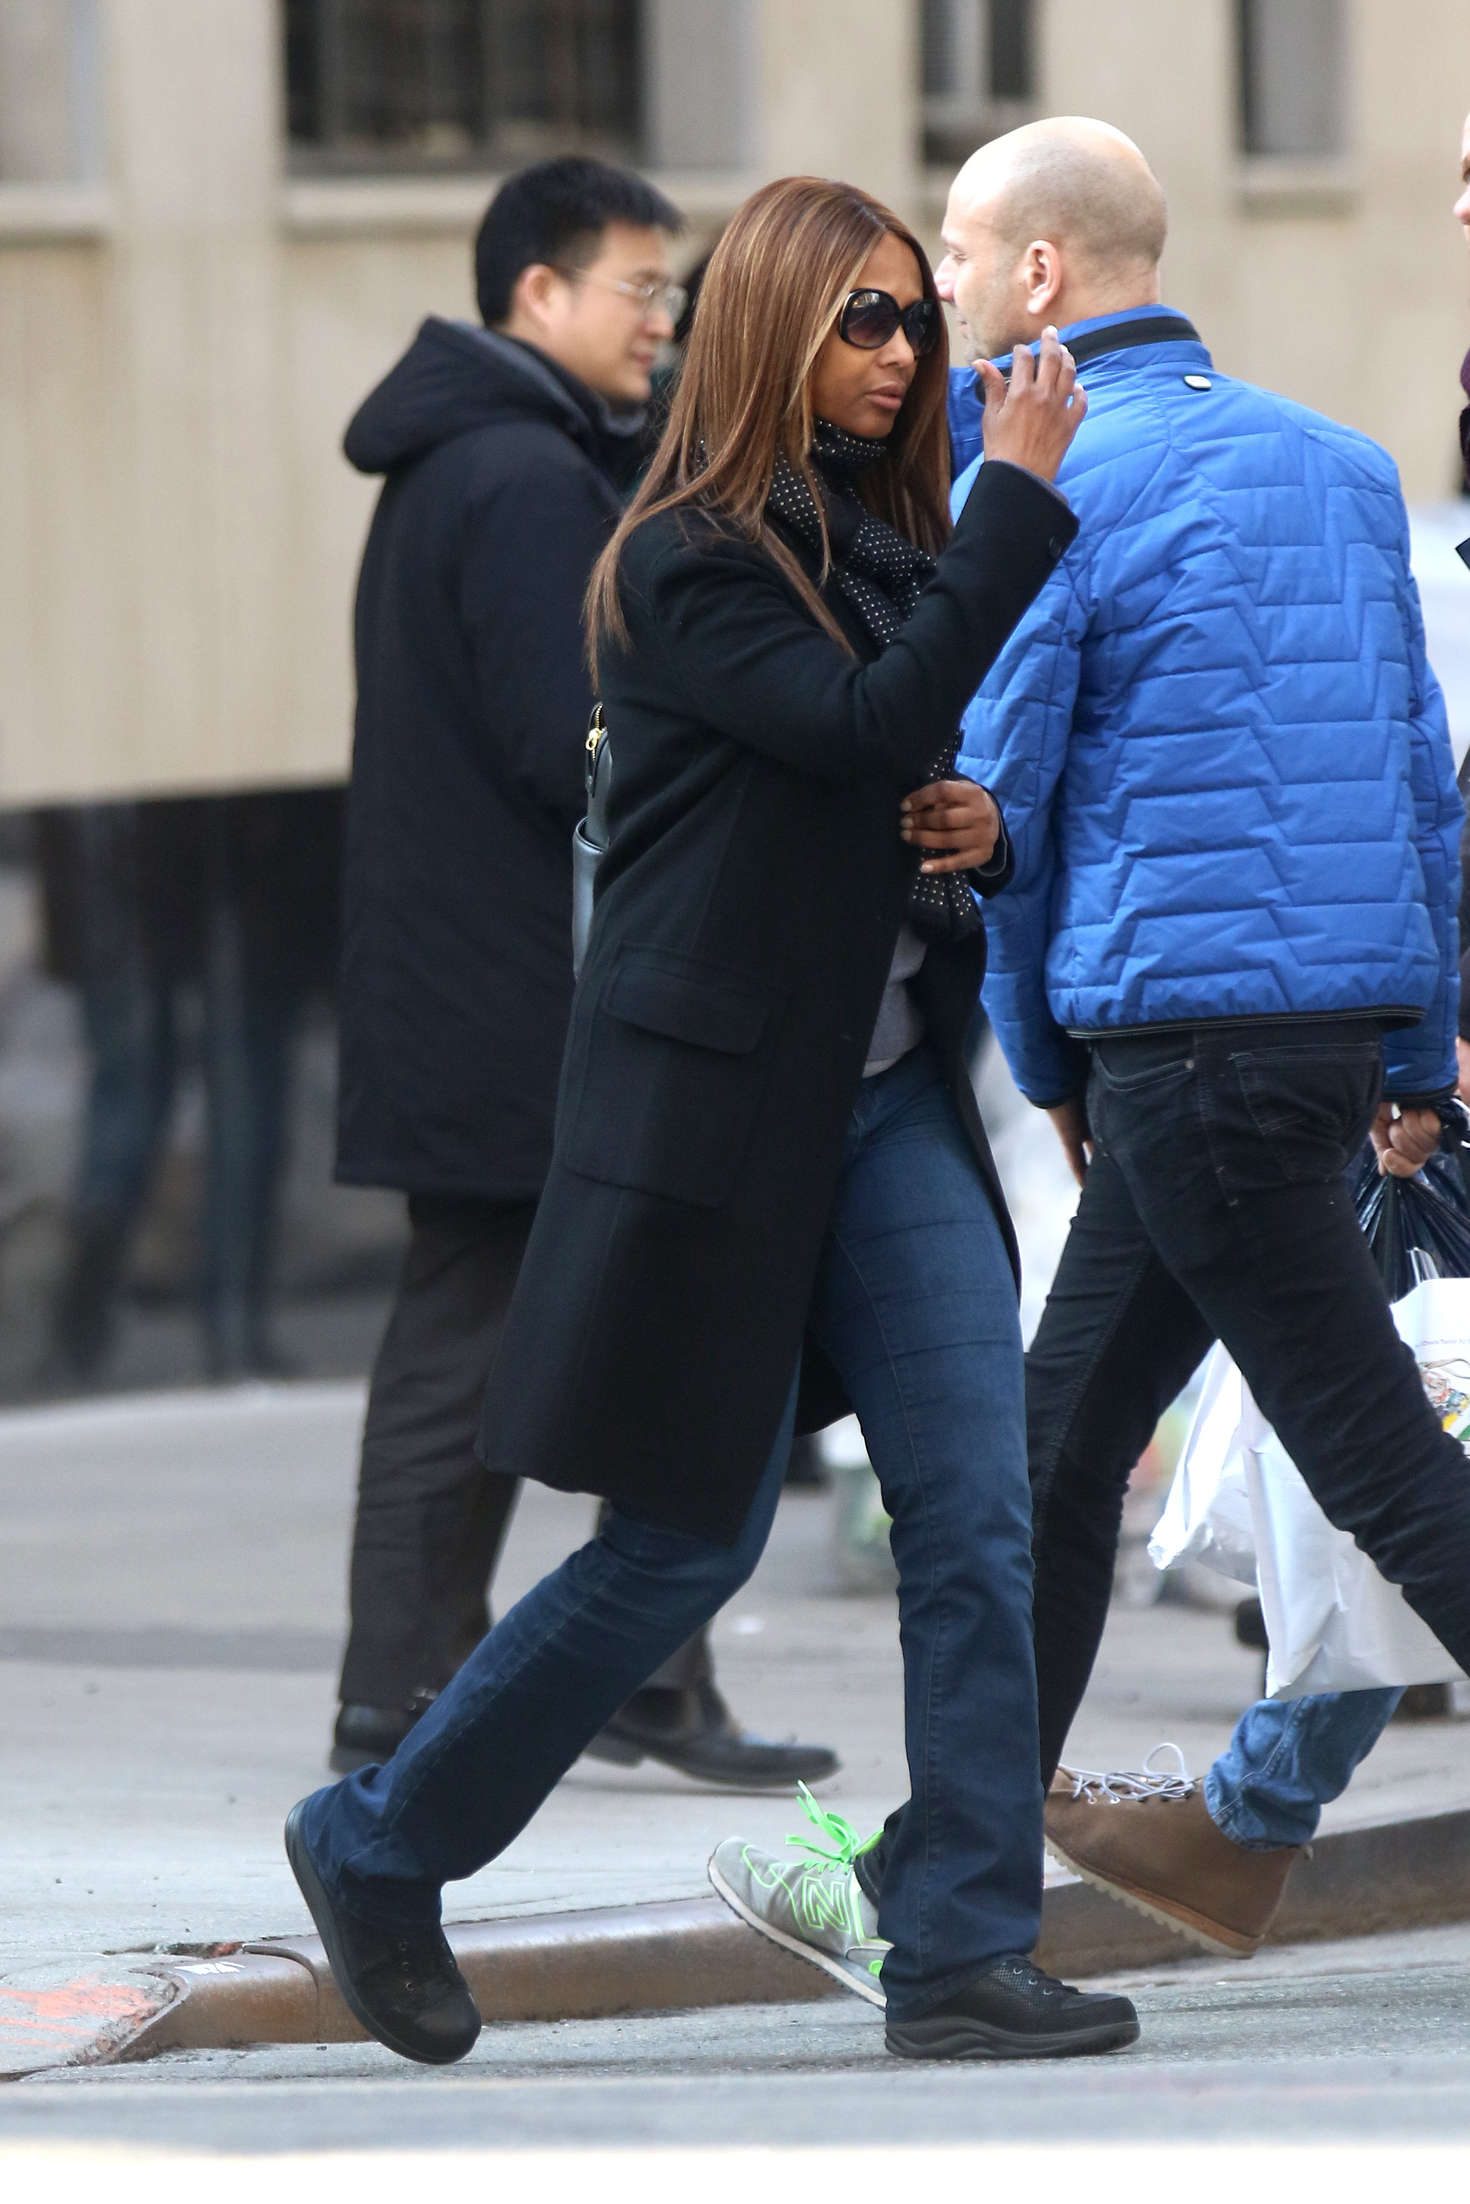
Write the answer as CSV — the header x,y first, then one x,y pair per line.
x,y
431,1522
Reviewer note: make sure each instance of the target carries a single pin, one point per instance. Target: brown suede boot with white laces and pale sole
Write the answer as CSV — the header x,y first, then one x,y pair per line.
x,y
1152,1844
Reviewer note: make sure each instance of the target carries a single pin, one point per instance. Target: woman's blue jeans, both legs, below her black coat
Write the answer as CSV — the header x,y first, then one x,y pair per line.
x,y
916,1308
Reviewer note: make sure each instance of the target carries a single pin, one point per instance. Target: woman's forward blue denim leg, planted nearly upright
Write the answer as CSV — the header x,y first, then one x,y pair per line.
x,y
916,1308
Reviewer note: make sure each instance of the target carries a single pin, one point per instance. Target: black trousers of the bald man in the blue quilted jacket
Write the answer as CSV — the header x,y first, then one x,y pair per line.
x,y
1218,1209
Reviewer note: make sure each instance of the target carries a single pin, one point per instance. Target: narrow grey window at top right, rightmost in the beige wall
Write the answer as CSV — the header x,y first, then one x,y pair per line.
x,y
1293,78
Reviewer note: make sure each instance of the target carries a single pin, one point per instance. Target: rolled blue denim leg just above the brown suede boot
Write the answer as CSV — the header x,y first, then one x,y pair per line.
x,y
1288,1758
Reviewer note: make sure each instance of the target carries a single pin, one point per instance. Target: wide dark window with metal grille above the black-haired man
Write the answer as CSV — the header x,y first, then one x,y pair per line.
x,y
420,85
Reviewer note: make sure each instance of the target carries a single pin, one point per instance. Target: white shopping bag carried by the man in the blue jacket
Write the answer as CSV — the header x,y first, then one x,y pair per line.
x,y
1332,1621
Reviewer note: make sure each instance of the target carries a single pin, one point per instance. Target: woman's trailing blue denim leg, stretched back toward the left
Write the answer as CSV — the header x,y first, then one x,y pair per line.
x,y
532,1696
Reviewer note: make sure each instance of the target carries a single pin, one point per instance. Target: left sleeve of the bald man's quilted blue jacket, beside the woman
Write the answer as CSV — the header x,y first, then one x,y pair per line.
x,y
1015,742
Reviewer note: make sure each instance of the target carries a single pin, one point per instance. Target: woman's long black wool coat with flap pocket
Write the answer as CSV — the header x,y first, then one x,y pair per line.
x,y
746,920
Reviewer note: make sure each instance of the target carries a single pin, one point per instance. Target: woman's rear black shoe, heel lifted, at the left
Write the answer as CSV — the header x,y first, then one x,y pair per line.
x,y
400,1982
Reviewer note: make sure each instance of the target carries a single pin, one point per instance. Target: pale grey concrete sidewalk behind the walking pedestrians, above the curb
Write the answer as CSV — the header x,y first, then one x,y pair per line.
x,y
171,1617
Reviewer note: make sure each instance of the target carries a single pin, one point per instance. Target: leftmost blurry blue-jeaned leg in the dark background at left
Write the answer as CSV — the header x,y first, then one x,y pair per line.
x,y
129,1024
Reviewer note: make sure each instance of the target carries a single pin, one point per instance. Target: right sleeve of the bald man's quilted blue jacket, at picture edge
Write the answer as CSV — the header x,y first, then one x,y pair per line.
x,y
1420,1059
